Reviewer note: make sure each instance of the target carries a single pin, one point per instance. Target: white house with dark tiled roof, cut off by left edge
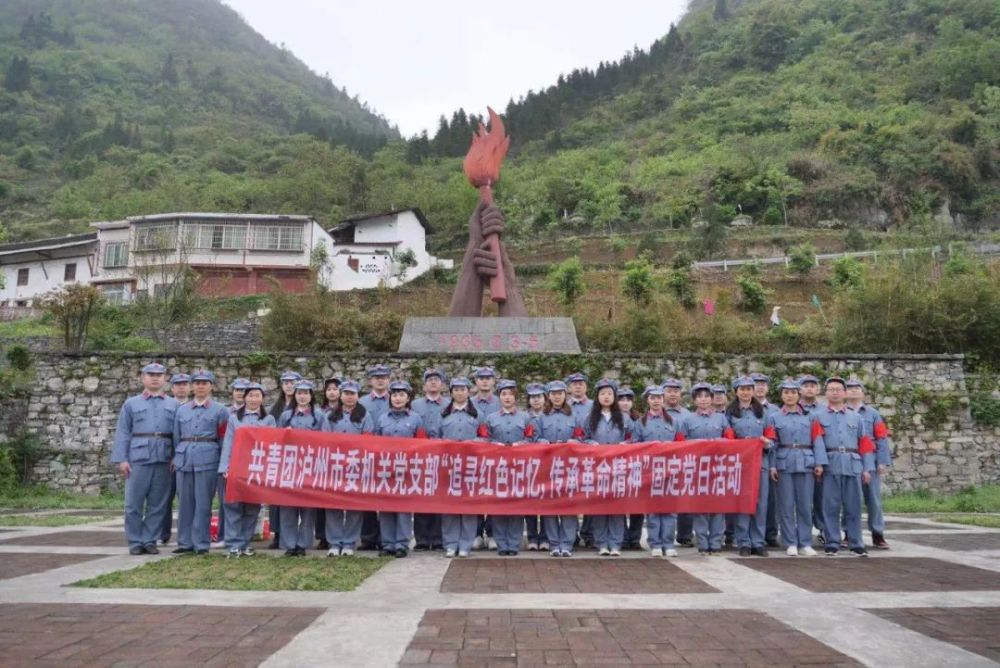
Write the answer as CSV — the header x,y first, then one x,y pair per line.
x,y
32,268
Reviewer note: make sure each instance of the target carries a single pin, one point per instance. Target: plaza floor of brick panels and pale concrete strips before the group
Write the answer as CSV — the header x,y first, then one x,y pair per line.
x,y
932,600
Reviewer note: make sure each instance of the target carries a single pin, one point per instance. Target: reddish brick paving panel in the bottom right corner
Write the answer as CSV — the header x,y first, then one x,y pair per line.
x,y
974,629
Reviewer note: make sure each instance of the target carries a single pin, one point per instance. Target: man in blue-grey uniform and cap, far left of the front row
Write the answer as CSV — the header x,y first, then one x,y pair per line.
x,y
143,448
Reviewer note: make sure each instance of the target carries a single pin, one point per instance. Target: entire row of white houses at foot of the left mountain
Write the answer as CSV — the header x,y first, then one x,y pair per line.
x,y
234,254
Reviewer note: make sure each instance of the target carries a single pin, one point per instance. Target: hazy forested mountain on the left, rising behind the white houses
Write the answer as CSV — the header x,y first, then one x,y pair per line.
x,y
139,93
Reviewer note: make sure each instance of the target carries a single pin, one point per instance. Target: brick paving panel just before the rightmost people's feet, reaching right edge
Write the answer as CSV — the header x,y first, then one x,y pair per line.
x,y
847,574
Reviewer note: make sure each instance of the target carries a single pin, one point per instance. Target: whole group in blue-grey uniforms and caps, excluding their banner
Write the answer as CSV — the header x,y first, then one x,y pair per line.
x,y
821,458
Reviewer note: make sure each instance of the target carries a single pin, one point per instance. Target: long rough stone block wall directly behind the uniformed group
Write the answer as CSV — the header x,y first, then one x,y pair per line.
x,y
76,399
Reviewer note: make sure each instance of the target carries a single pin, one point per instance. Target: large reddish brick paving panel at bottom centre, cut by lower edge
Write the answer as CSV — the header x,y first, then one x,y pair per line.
x,y
612,637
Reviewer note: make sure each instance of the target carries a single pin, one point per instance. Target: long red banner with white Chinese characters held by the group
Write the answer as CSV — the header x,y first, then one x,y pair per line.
x,y
292,467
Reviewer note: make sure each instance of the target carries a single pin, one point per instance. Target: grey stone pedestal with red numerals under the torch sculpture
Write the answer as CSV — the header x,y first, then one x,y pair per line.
x,y
489,335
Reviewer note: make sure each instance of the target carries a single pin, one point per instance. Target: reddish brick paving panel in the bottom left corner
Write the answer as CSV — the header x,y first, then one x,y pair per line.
x,y
117,635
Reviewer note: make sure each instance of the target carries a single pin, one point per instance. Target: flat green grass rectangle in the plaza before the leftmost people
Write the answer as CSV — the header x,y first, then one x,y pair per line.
x,y
260,573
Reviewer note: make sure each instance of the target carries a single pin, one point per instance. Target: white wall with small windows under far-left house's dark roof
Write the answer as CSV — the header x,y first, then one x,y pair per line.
x,y
38,275
